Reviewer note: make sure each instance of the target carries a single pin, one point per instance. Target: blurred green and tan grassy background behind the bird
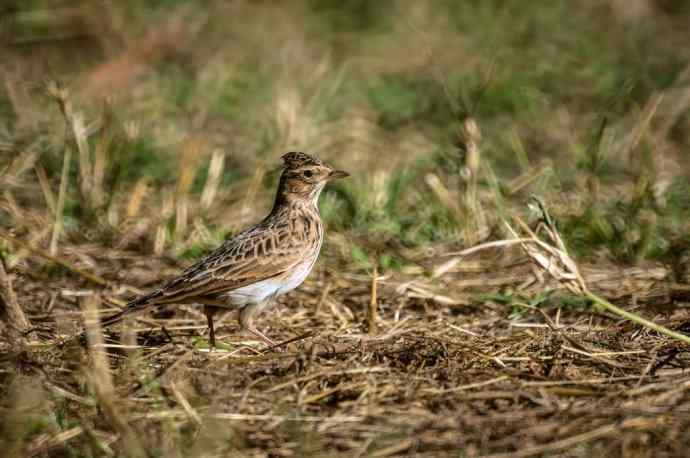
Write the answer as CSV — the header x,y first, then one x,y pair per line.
x,y
585,103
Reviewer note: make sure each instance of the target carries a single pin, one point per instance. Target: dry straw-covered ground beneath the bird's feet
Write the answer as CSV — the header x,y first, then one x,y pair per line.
x,y
440,375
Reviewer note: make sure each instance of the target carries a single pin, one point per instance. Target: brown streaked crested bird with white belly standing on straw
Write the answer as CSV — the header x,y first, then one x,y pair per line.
x,y
248,271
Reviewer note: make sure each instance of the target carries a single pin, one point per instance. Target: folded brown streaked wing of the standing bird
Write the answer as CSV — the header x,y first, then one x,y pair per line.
x,y
252,256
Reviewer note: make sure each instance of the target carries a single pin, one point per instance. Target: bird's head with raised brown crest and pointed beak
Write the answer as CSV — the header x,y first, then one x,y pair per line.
x,y
304,177
